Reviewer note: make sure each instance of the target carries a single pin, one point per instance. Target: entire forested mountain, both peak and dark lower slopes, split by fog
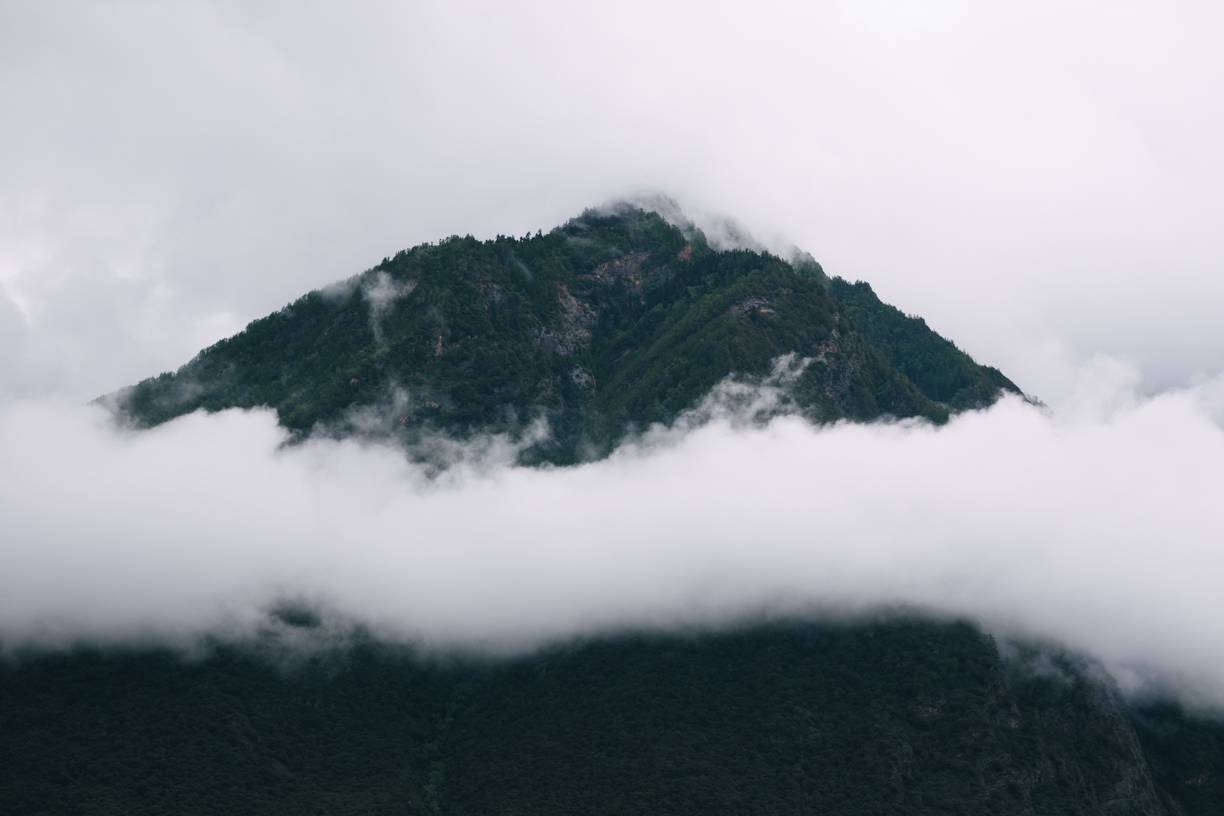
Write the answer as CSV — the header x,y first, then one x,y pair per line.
x,y
613,322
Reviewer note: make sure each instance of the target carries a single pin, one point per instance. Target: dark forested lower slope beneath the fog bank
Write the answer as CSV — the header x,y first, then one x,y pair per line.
x,y
895,718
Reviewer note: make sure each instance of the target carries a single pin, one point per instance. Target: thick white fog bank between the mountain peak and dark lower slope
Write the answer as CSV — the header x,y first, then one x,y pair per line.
x,y
1097,528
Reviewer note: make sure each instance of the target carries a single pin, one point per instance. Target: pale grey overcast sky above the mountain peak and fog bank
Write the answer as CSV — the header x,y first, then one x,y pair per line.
x,y
1042,182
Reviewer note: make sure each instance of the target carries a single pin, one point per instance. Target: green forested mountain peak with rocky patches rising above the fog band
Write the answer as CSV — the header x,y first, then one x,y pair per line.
x,y
615,321
